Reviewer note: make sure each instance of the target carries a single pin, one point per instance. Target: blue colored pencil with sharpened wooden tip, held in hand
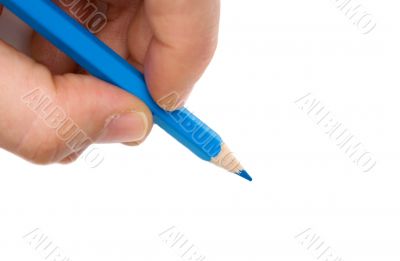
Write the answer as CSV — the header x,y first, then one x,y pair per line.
x,y
101,61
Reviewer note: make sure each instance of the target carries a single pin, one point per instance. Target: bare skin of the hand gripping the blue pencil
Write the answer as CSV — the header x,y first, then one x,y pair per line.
x,y
171,42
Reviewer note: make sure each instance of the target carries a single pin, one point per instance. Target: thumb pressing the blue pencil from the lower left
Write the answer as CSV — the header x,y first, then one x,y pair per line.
x,y
45,118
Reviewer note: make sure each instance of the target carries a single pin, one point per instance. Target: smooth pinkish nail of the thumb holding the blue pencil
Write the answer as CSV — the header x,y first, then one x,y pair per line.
x,y
126,127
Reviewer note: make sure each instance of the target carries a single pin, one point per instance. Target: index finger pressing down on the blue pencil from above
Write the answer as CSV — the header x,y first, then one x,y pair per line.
x,y
184,40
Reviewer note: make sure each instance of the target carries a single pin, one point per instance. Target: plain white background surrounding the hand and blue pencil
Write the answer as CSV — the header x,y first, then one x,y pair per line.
x,y
270,54
